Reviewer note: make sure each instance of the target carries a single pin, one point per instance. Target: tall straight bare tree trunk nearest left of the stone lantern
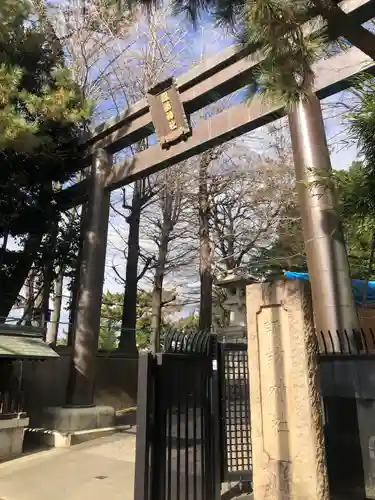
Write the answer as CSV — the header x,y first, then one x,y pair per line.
x,y
205,264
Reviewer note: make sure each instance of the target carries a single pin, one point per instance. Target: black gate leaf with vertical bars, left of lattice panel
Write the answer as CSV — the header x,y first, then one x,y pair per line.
x,y
178,445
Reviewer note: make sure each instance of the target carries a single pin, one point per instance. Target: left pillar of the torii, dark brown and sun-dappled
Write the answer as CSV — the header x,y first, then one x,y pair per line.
x,y
80,389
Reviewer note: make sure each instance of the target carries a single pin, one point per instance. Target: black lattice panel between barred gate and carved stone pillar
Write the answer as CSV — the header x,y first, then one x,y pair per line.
x,y
235,396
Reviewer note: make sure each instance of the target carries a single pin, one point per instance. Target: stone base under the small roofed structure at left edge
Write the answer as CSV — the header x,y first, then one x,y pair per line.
x,y
11,437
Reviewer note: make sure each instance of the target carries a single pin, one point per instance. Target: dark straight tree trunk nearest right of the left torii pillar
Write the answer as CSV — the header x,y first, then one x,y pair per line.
x,y
127,342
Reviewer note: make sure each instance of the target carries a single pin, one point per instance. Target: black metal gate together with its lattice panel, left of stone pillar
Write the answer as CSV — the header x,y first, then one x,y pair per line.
x,y
193,419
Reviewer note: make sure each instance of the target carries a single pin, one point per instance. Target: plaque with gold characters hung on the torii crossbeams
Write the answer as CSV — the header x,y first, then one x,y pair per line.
x,y
168,114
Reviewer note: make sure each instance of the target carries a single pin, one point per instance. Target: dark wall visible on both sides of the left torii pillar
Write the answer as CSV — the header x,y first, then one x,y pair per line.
x,y
45,382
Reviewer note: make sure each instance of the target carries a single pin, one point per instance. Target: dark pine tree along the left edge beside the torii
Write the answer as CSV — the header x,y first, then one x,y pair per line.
x,y
42,114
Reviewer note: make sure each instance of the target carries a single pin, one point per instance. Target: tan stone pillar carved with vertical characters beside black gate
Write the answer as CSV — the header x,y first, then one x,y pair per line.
x,y
286,414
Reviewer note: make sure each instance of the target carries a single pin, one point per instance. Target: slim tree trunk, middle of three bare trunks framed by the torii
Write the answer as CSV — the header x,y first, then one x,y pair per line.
x,y
157,292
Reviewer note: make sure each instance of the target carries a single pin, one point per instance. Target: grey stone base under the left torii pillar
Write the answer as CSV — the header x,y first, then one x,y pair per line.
x,y
63,426
